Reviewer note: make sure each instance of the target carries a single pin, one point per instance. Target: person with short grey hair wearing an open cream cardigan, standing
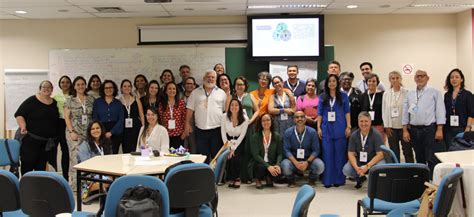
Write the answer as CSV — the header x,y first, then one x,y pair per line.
x,y
392,105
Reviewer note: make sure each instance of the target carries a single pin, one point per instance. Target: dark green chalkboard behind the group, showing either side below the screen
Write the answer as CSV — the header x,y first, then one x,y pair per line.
x,y
237,63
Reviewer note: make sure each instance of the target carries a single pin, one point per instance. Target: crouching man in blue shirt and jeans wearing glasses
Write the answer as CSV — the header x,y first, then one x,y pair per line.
x,y
301,149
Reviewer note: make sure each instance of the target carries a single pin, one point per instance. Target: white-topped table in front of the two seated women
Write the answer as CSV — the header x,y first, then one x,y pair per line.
x,y
118,165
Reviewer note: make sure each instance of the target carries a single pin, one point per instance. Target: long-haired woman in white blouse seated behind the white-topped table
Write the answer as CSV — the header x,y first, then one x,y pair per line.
x,y
153,135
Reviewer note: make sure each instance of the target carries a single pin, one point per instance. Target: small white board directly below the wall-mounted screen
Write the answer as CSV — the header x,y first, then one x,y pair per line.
x,y
306,69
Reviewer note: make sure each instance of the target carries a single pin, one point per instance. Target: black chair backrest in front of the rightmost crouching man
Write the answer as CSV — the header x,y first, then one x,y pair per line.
x,y
397,182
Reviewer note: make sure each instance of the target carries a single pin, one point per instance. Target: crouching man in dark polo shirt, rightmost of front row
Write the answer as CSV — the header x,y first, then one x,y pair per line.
x,y
363,151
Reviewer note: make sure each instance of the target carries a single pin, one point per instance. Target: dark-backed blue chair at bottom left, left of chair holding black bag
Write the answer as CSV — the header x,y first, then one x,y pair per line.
x,y
47,194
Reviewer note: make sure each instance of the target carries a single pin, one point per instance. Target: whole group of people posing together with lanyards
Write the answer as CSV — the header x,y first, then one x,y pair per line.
x,y
281,129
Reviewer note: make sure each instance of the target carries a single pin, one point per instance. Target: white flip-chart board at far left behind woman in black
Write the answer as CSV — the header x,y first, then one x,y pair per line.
x,y
19,85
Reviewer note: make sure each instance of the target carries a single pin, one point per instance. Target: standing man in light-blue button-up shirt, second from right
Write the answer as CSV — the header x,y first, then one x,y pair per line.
x,y
423,117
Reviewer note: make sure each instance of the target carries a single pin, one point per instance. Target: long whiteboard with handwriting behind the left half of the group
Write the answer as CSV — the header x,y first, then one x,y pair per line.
x,y
125,63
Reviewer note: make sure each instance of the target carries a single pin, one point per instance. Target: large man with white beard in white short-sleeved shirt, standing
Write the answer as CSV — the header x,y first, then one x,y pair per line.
x,y
206,104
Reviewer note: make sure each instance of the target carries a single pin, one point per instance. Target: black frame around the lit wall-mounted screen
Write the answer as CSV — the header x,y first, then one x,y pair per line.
x,y
285,58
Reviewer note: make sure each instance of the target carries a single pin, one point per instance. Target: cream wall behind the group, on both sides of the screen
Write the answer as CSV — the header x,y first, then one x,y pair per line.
x,y
388,41
